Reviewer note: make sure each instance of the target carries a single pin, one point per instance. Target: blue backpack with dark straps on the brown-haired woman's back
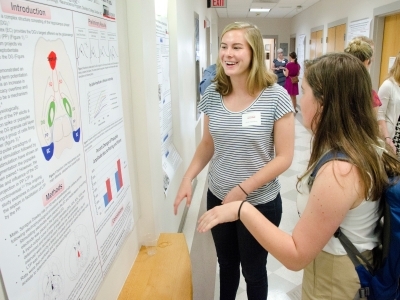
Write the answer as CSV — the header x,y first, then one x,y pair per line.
x,y
381,281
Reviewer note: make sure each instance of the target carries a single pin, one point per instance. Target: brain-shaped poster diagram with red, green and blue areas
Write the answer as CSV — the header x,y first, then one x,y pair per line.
x,y
57,111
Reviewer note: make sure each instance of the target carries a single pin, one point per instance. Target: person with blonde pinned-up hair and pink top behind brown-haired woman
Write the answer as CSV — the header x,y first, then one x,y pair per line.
x,y
362,49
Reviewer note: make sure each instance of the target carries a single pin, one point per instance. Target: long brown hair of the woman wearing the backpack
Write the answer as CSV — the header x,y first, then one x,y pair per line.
x,y
345,120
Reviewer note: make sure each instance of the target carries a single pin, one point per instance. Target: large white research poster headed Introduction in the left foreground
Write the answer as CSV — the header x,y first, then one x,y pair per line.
x,y
65,194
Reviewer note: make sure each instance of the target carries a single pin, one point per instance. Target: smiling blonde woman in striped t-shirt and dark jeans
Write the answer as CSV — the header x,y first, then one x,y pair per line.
x,y
248,139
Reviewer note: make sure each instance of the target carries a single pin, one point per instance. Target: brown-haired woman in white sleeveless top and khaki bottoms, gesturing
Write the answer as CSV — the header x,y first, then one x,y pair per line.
x,y
344,194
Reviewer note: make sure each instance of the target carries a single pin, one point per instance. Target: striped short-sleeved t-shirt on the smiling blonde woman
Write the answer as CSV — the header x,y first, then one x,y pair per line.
x,y
240,151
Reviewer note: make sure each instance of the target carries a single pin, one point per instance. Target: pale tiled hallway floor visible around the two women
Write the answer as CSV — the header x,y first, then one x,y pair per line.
x,y
283,284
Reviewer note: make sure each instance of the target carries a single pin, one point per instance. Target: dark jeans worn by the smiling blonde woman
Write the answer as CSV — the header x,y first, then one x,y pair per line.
x,y
235,245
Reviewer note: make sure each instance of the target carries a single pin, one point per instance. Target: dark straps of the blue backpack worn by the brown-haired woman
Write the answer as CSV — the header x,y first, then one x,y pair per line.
x,y
351,250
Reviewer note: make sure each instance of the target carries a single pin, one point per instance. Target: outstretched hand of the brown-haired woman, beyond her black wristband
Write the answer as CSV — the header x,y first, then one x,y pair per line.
x,y
217,215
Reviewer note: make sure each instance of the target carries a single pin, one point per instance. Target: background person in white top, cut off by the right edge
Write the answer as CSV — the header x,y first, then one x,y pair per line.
x,y
389,112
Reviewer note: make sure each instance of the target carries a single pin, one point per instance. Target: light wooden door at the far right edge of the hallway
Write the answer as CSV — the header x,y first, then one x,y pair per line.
x,y
391,44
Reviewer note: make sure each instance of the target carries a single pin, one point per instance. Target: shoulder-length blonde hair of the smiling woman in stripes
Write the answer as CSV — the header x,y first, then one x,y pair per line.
x,y
259,77
